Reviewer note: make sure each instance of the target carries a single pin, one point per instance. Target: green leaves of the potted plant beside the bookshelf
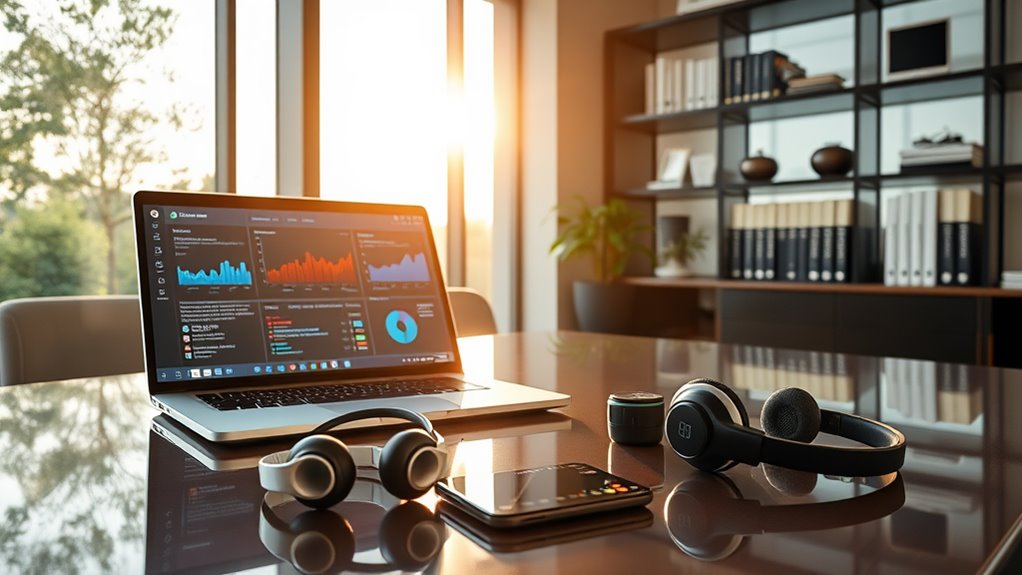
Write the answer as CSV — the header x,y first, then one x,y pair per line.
x,y
610,234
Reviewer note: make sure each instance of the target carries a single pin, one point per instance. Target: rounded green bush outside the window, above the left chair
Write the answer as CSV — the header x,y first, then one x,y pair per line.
x,y
50,250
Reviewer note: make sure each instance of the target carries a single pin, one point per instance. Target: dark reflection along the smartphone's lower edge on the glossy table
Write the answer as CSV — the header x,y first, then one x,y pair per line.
x,y
515,541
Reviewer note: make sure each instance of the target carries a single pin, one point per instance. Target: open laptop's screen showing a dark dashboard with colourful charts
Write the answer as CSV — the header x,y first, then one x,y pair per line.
x,y
261,287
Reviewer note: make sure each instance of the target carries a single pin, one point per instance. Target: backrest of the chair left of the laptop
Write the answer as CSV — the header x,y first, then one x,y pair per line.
x,y
53,339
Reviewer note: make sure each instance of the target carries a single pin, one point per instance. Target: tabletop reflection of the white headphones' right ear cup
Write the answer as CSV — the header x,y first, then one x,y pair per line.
x,y
410,537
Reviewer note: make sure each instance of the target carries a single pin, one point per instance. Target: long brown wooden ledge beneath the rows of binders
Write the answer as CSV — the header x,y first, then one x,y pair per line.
x,y
878,290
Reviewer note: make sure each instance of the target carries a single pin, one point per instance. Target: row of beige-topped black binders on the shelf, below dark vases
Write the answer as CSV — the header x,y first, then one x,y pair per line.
x,y
799,242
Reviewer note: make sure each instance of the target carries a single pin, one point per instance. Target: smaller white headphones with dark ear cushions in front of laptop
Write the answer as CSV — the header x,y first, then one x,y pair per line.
x,y
320,470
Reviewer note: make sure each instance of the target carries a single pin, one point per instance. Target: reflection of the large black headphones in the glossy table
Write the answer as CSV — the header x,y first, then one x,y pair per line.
x,y
708,518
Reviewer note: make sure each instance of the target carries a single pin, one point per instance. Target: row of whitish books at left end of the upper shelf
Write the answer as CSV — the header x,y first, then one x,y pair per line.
x,y
675,84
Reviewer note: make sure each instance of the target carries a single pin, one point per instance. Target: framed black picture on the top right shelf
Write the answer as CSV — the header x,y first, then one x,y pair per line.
x,y
919,51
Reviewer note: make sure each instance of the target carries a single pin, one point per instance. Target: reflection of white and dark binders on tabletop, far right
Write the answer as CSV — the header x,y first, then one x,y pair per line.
x,y
932,393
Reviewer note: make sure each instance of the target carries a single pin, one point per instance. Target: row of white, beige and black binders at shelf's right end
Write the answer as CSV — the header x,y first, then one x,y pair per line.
x,y
934,238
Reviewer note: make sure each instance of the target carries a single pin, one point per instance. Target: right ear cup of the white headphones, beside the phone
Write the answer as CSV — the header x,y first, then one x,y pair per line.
x,y
408,467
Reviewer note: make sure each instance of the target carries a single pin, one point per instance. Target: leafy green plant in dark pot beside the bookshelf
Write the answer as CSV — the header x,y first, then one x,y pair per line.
x,y
610,235
